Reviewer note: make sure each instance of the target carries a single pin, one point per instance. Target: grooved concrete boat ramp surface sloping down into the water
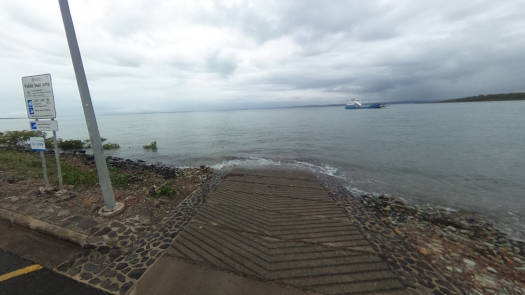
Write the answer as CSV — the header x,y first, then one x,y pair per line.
x,y
282,226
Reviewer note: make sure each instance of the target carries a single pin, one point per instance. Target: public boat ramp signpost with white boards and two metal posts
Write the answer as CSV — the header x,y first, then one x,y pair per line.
x,y
40,104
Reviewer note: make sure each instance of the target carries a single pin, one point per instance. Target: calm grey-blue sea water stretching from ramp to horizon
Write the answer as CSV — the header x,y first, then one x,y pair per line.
x,y
463,155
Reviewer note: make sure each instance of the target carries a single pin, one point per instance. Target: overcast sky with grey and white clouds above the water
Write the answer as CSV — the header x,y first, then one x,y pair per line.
x,y
143,56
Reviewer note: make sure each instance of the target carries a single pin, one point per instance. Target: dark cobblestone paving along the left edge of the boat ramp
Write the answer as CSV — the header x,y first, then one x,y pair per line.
x,y
122,251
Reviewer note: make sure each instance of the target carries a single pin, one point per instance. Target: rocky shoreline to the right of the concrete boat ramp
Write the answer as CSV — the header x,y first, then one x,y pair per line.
x,y
435,249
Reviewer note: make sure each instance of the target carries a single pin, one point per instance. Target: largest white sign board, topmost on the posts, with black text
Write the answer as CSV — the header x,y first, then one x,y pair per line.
x,y
38,94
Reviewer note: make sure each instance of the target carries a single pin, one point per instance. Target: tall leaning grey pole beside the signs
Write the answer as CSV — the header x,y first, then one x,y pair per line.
x,y
89,112
